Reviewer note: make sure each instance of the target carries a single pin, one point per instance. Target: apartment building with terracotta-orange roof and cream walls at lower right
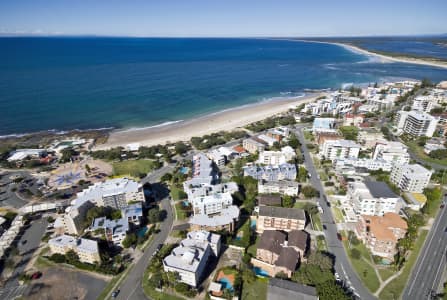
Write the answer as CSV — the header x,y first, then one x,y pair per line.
x,y
381,233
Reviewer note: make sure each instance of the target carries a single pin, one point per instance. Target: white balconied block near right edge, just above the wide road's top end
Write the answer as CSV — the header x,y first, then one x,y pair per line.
x,y
410,178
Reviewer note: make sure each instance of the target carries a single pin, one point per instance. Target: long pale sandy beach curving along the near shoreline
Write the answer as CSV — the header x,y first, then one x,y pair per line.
x,y
225,120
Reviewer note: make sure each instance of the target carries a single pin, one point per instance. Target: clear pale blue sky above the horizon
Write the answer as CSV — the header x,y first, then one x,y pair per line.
x,y
225,18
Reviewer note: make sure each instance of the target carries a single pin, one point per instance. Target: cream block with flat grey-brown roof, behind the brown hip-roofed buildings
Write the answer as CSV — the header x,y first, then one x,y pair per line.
x,y
280,218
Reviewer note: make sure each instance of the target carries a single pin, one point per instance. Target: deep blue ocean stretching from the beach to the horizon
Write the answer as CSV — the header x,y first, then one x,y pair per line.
x,y
86,83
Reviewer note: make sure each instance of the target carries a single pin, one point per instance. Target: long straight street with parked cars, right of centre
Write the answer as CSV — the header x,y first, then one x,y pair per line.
x,y
342,264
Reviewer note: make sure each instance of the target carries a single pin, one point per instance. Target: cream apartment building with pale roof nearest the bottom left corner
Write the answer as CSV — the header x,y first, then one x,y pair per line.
x,y
86,249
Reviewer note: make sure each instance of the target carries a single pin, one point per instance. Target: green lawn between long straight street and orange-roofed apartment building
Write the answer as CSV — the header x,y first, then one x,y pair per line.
x,y
365,271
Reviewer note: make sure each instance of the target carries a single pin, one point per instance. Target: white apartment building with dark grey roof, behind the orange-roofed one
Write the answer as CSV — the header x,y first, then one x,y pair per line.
x,y
372,198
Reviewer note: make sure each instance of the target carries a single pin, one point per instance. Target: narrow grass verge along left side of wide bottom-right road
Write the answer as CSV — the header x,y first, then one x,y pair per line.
x,y
394,289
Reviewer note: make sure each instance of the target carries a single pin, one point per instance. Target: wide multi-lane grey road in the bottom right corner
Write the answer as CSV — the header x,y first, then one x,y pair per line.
x,y
427,273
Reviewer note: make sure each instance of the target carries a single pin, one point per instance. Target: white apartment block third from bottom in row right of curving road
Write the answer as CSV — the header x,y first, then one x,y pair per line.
x,y
212,204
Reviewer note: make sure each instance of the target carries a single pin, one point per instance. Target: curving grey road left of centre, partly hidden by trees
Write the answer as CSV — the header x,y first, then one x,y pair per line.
x,y
131,287
